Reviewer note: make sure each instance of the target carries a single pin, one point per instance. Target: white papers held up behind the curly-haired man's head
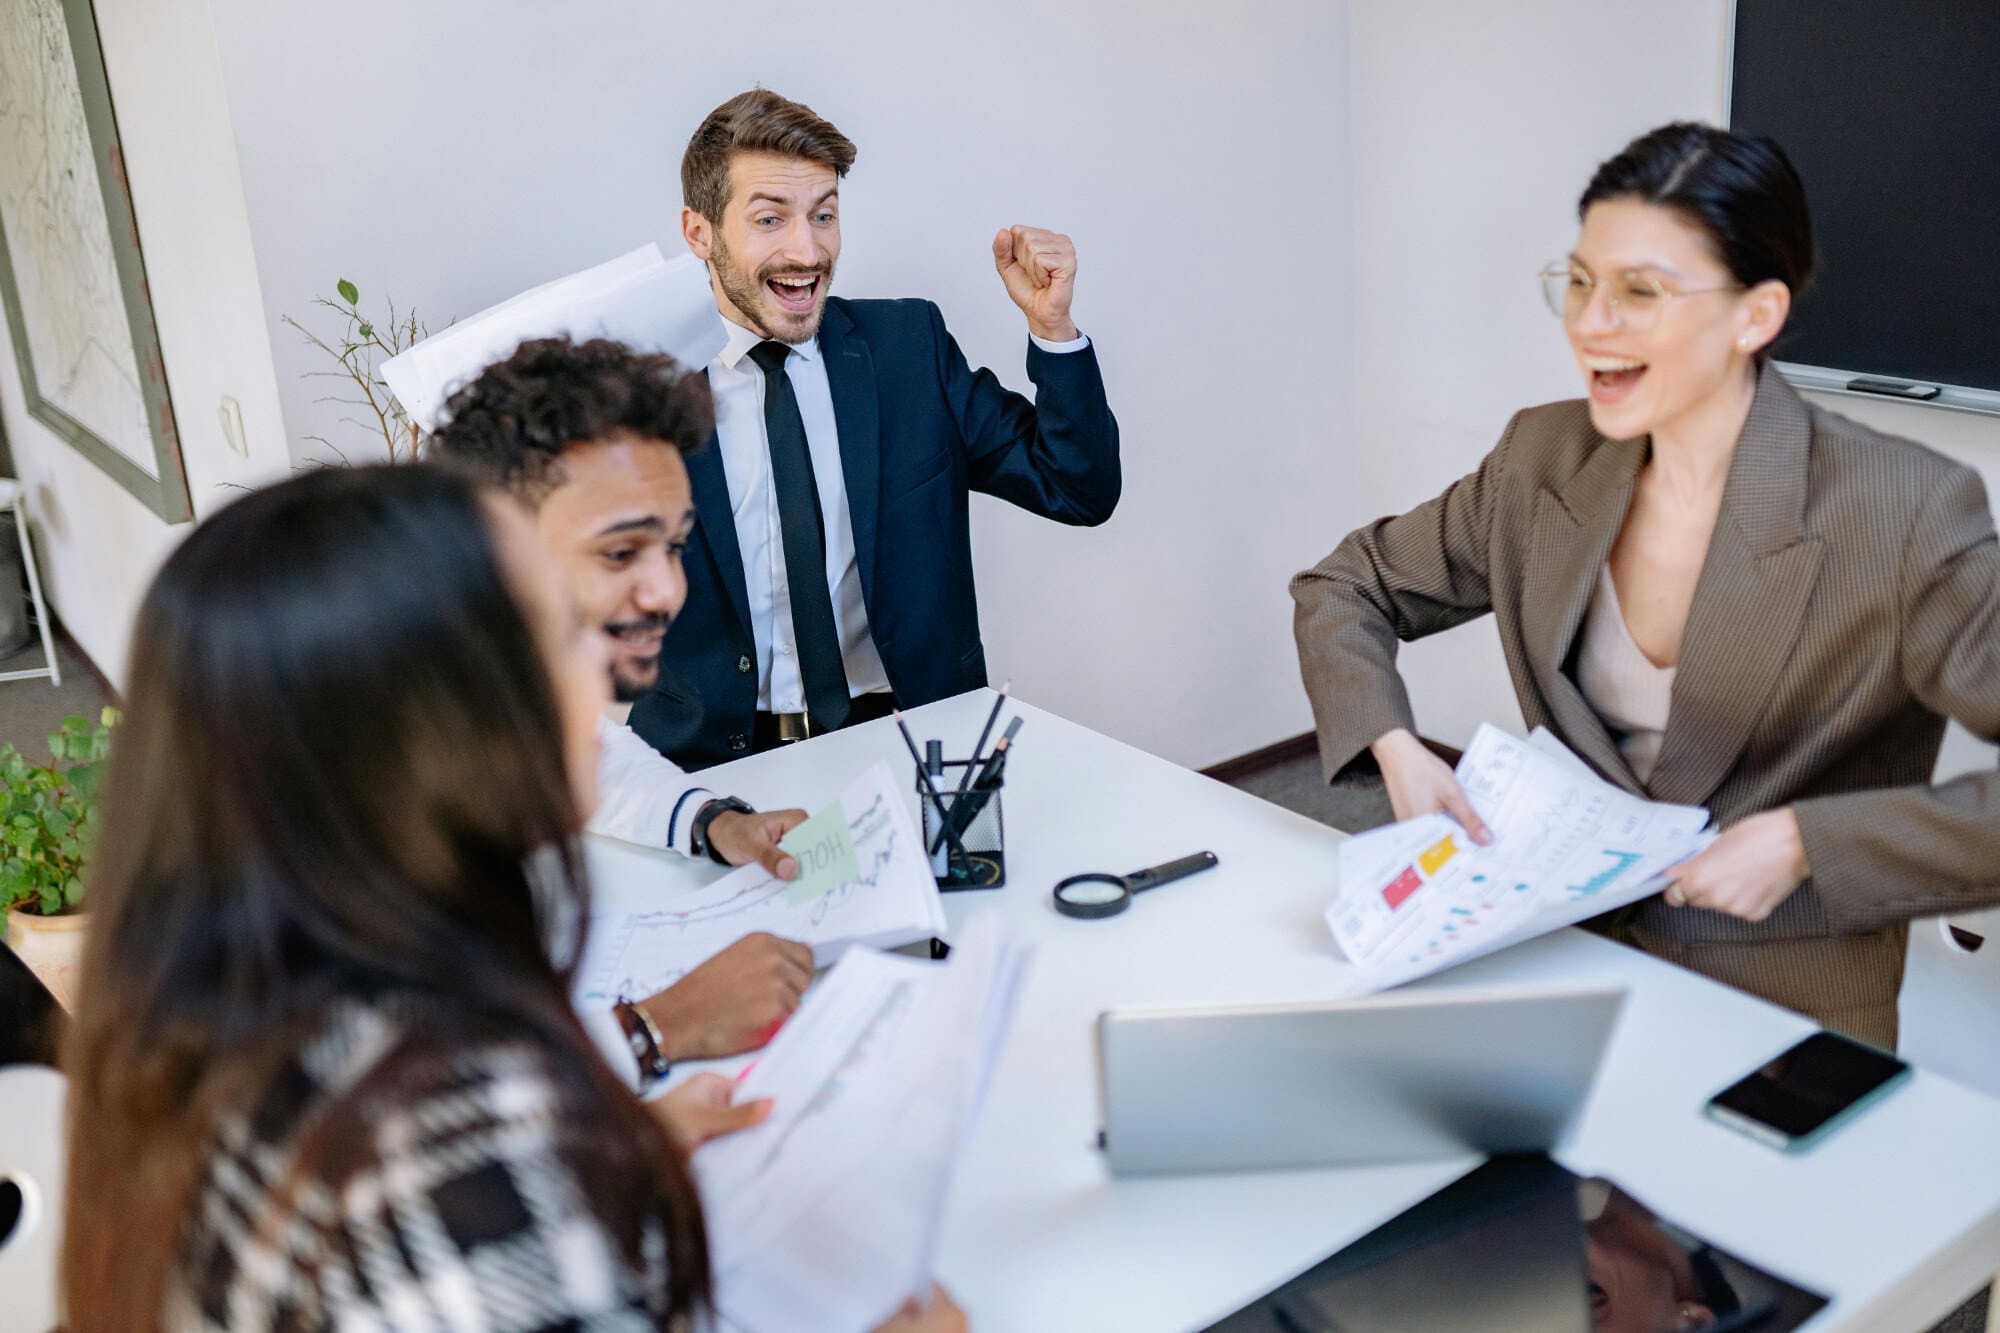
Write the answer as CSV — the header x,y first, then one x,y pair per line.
x,y
643,299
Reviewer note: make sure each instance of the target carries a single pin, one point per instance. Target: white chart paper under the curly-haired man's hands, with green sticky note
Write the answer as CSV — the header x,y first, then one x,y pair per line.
x,y
643,938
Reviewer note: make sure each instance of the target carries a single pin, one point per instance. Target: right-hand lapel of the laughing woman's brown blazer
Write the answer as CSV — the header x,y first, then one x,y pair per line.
x,y
1751,601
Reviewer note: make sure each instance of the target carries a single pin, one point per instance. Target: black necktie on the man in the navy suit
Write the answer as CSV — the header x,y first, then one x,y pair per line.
x,y
805,543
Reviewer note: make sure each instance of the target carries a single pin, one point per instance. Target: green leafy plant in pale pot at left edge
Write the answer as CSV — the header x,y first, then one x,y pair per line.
x,y
49,820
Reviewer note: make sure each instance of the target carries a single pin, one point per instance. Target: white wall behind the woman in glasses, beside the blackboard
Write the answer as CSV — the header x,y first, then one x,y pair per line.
x,y
1475,131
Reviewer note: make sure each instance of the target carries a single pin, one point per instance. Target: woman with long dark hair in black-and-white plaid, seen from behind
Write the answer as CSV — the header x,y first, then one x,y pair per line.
x,y
325,1072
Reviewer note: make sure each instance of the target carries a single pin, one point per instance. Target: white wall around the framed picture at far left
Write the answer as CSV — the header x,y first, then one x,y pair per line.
x,y
97,545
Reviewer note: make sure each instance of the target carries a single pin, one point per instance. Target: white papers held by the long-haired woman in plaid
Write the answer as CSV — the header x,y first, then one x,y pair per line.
x,y
825,1218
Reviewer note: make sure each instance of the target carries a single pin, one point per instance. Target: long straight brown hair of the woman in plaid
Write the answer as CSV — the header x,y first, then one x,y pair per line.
x,y
341,754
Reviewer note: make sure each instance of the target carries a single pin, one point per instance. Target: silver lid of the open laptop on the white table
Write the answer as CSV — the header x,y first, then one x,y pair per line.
x,y
1409,1076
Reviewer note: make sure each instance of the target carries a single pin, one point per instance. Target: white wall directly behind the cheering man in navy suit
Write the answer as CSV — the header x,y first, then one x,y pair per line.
x,y
1197,153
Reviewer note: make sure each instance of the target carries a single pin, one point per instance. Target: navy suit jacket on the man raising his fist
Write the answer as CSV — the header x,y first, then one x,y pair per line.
x,y
919,433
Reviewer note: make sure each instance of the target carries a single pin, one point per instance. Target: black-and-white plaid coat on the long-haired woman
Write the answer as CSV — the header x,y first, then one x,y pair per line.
x,y
461,1204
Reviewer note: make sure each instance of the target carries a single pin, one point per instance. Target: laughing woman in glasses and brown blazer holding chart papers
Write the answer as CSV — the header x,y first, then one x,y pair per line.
x,y
1711,591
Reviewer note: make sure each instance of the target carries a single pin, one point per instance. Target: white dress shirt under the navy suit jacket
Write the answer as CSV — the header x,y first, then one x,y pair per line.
x,y
737,385
